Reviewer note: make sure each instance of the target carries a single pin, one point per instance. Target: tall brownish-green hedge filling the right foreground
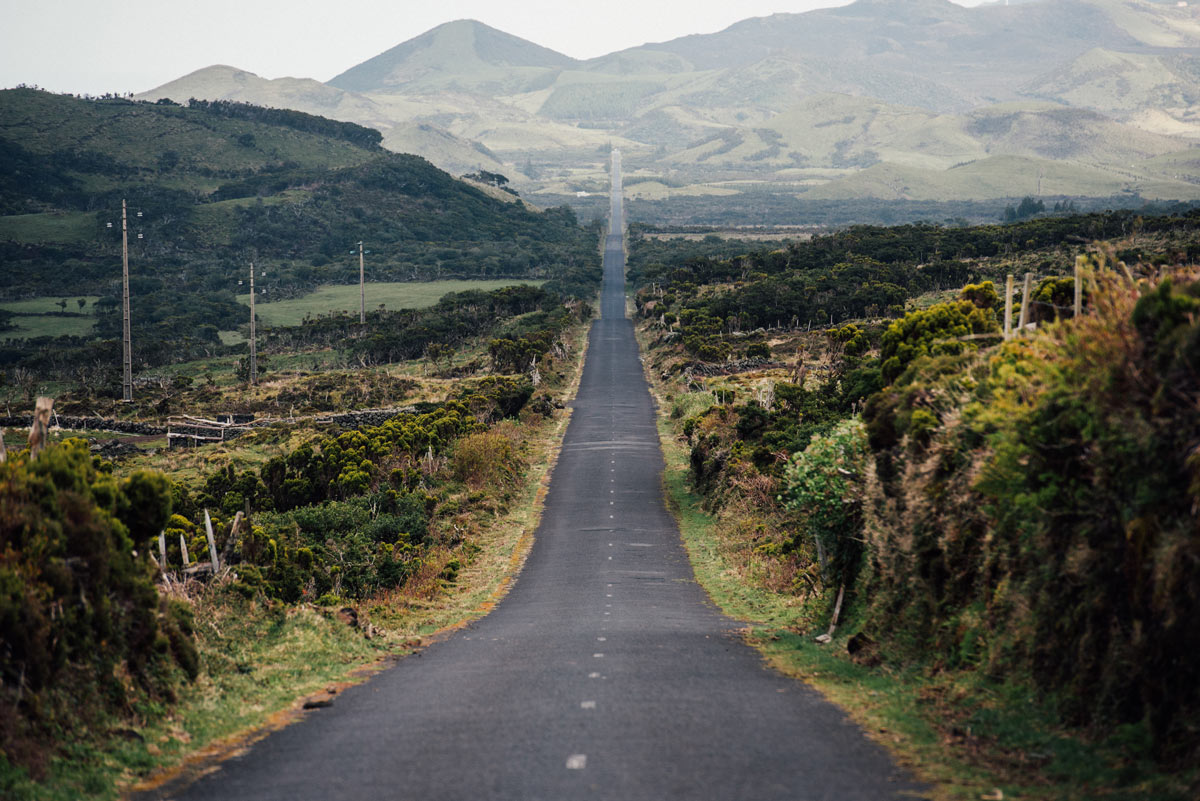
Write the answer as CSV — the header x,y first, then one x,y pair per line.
x,y
1033,511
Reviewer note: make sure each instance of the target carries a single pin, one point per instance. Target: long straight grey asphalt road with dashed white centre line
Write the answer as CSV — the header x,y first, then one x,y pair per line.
x,y
607,673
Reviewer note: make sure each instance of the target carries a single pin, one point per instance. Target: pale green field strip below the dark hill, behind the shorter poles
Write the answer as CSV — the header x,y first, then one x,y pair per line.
x,y
346,298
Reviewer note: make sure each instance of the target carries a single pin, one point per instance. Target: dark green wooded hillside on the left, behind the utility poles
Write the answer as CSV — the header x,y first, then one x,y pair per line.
x,y
214,186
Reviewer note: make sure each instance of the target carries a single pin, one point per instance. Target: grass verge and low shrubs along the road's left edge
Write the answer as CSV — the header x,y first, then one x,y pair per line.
x,y
357,543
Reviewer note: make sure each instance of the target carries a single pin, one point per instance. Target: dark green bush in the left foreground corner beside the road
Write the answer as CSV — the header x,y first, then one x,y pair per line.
x,y
79,606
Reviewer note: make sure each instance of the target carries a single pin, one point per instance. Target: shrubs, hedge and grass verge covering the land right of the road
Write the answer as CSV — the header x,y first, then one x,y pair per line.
x,y
999,535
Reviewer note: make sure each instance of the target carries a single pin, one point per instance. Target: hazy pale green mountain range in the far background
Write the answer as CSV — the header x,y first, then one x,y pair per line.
x,y
795,101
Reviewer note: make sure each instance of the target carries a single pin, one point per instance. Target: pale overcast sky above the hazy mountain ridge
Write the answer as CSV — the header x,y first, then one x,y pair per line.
x,y
131,46
